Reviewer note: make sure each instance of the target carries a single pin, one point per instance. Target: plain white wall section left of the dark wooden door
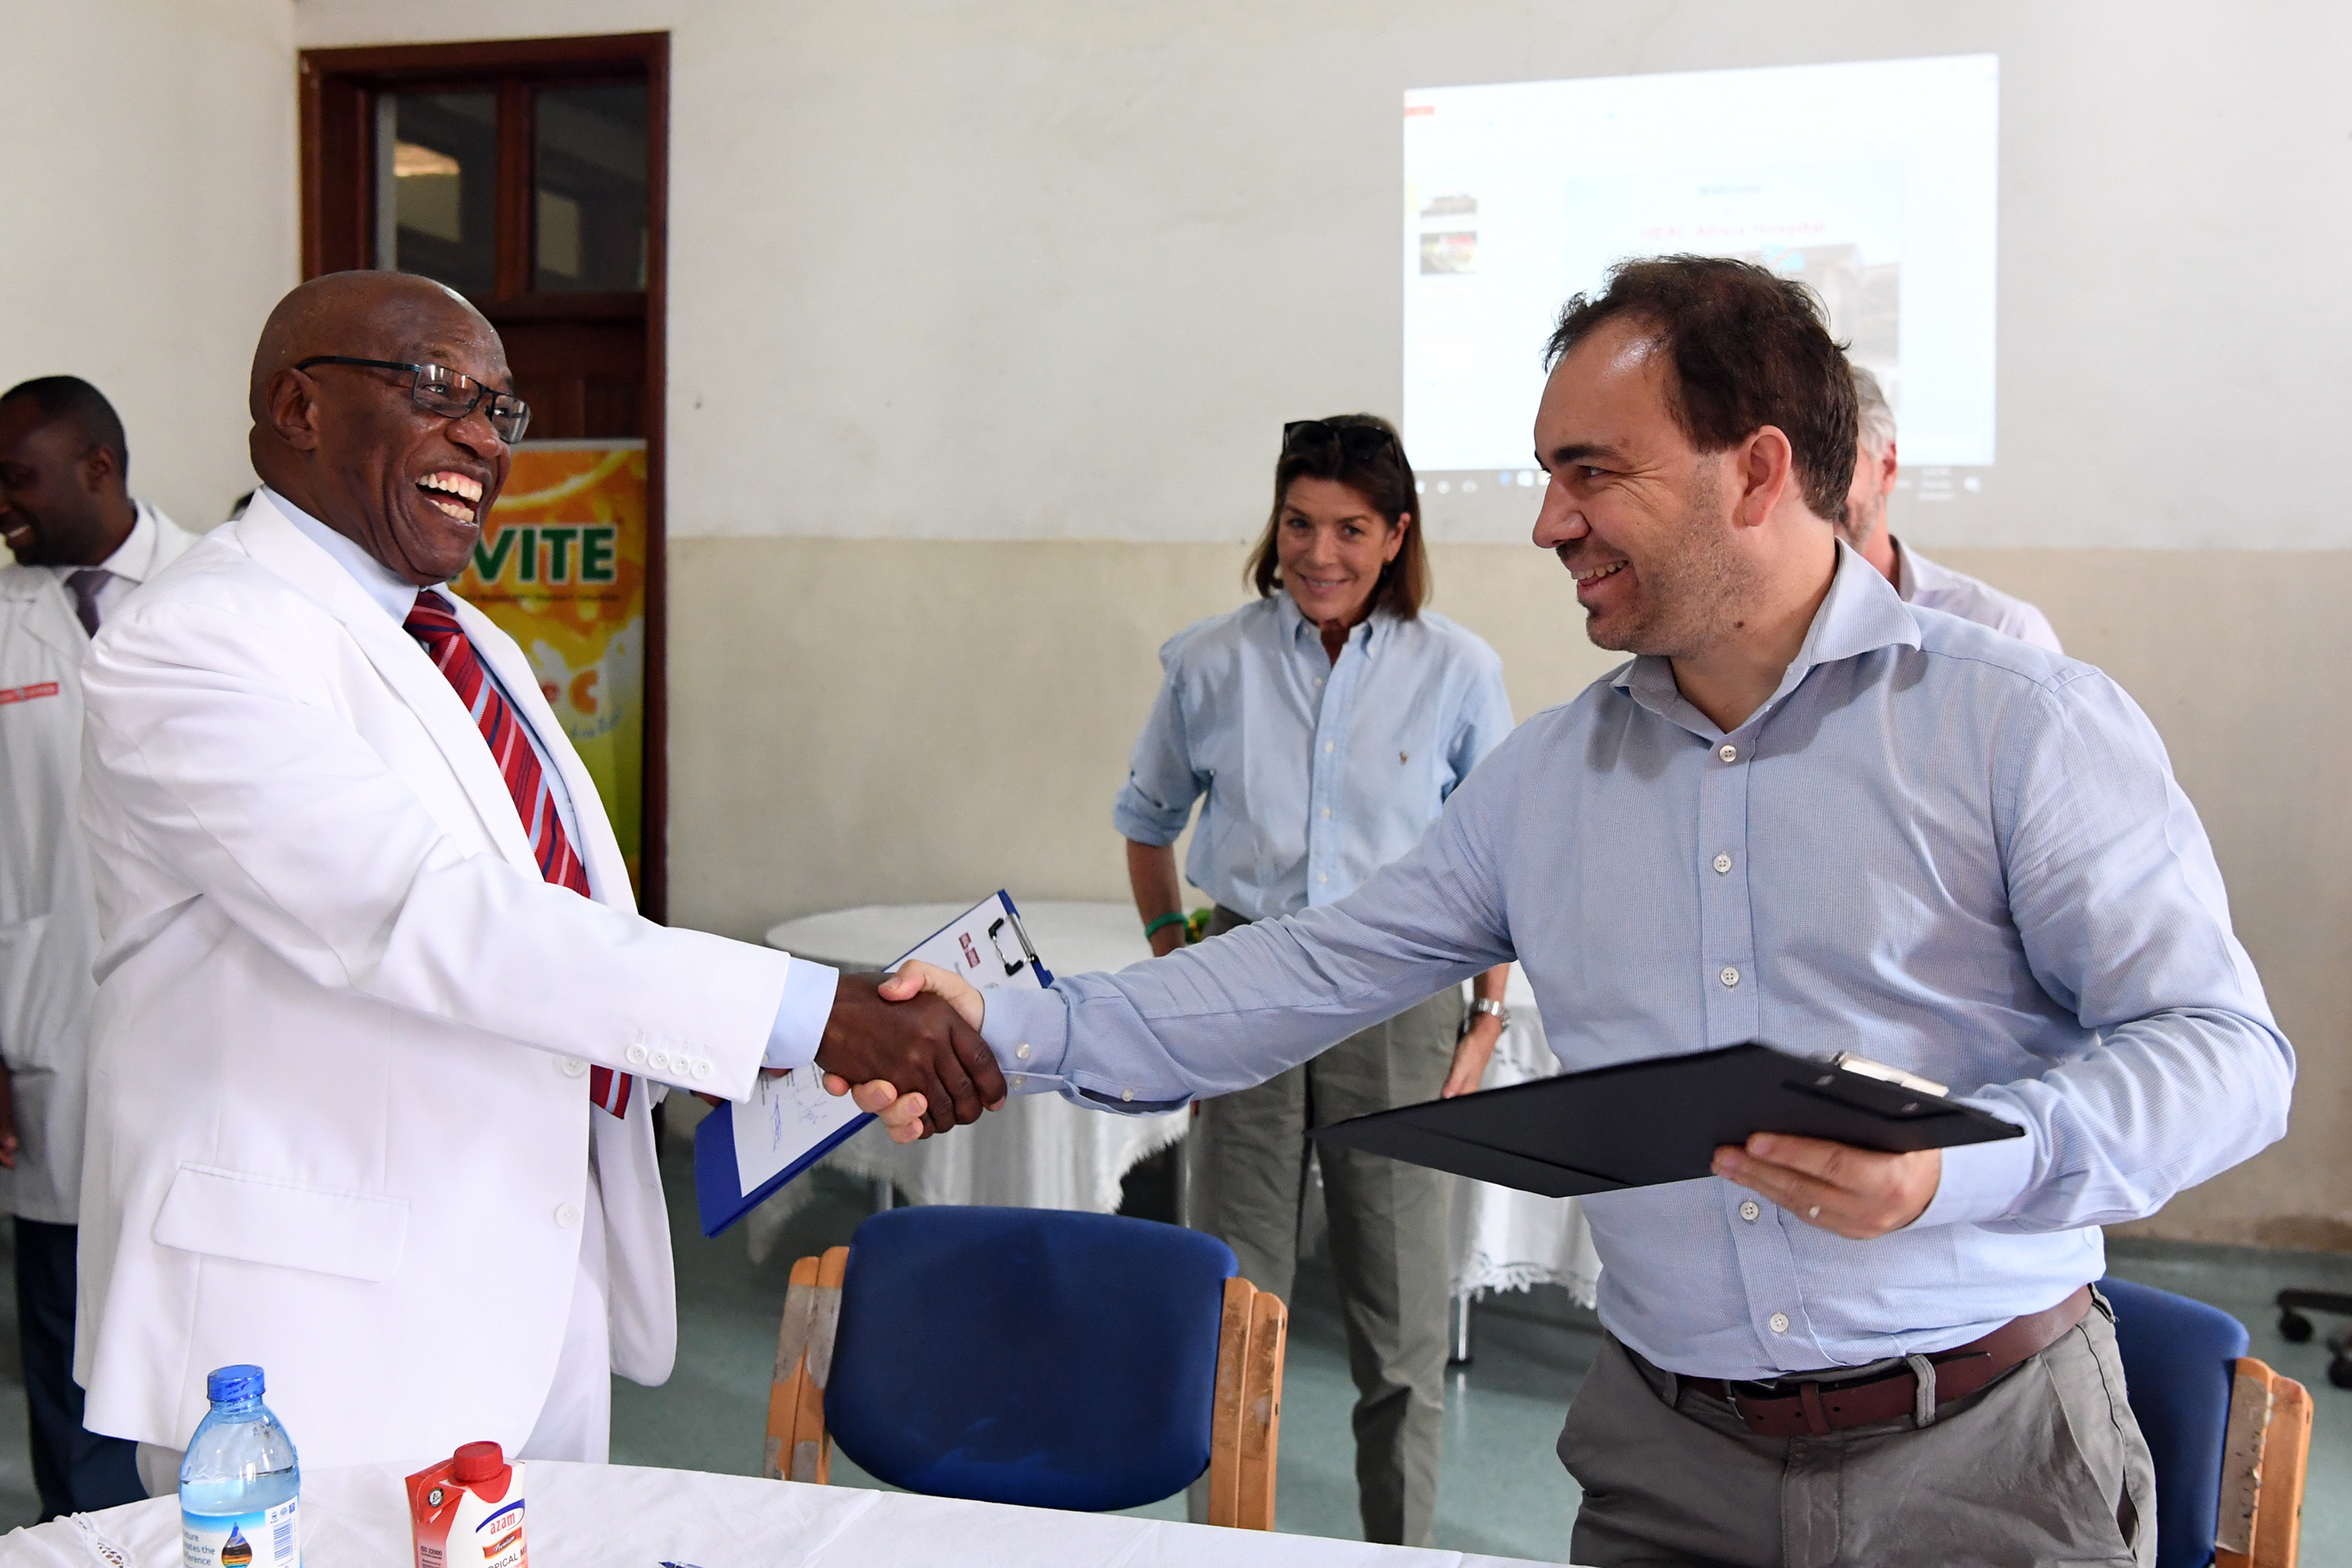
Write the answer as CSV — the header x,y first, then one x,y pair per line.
x,y
147,220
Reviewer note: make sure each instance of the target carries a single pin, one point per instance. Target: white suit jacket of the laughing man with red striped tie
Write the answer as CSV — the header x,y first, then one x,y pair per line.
x,y
340,1106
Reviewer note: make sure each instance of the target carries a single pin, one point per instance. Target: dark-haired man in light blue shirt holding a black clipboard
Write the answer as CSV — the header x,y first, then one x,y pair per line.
x,y
1817,817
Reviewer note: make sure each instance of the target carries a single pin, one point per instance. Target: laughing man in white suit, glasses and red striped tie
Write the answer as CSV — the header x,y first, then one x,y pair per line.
x,y
375,1000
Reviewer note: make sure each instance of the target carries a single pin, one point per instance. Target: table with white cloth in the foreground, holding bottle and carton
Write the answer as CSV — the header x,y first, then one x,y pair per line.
x,y
624,1517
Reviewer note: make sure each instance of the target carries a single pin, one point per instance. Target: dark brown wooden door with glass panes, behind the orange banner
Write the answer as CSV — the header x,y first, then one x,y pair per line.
x,y
528,175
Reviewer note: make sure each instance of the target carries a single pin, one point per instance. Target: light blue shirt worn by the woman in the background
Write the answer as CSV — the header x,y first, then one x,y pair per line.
x,y
1314,775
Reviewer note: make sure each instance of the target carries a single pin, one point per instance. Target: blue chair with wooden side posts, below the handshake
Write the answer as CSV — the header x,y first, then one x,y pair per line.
x,y
1034,1355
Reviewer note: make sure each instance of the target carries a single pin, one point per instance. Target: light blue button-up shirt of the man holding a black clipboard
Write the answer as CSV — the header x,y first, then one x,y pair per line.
x,y
1935,845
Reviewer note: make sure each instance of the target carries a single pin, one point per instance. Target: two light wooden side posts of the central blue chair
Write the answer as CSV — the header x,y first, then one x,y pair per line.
x,y
1245,1426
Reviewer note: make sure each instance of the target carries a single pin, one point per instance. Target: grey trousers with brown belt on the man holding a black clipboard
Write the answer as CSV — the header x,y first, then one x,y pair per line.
x,y
2047,1466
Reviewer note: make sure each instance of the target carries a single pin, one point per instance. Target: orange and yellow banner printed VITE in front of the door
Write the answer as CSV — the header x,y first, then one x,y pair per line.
x,y
561,568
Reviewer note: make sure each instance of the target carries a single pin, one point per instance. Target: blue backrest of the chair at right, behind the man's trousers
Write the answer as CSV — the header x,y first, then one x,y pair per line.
x,y
2179,1362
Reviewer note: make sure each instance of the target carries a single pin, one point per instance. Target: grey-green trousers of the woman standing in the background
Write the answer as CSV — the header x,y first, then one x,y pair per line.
x,y
1389,1238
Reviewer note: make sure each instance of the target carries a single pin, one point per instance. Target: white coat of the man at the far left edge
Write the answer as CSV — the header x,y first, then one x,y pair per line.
x,y
48,920
